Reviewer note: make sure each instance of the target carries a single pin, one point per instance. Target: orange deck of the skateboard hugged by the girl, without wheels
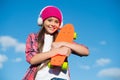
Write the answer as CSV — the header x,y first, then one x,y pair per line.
x,y
66,34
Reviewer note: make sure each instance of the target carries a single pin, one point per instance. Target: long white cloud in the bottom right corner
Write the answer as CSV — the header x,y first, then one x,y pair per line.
x,y
110,73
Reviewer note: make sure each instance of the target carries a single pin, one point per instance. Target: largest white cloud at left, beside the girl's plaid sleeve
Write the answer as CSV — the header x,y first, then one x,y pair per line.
x,y
7,42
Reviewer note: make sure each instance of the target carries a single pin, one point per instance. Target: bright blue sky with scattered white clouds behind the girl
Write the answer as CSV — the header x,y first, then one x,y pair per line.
x,y
97,23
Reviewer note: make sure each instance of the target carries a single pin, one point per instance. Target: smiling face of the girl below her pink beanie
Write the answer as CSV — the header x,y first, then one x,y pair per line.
x,y
51,24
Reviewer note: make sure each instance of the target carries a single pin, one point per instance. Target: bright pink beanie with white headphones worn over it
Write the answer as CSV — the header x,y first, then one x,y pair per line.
x,y
50,11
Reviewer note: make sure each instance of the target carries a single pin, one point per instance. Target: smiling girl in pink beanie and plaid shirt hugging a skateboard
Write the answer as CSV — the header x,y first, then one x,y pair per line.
x,y
41,47
